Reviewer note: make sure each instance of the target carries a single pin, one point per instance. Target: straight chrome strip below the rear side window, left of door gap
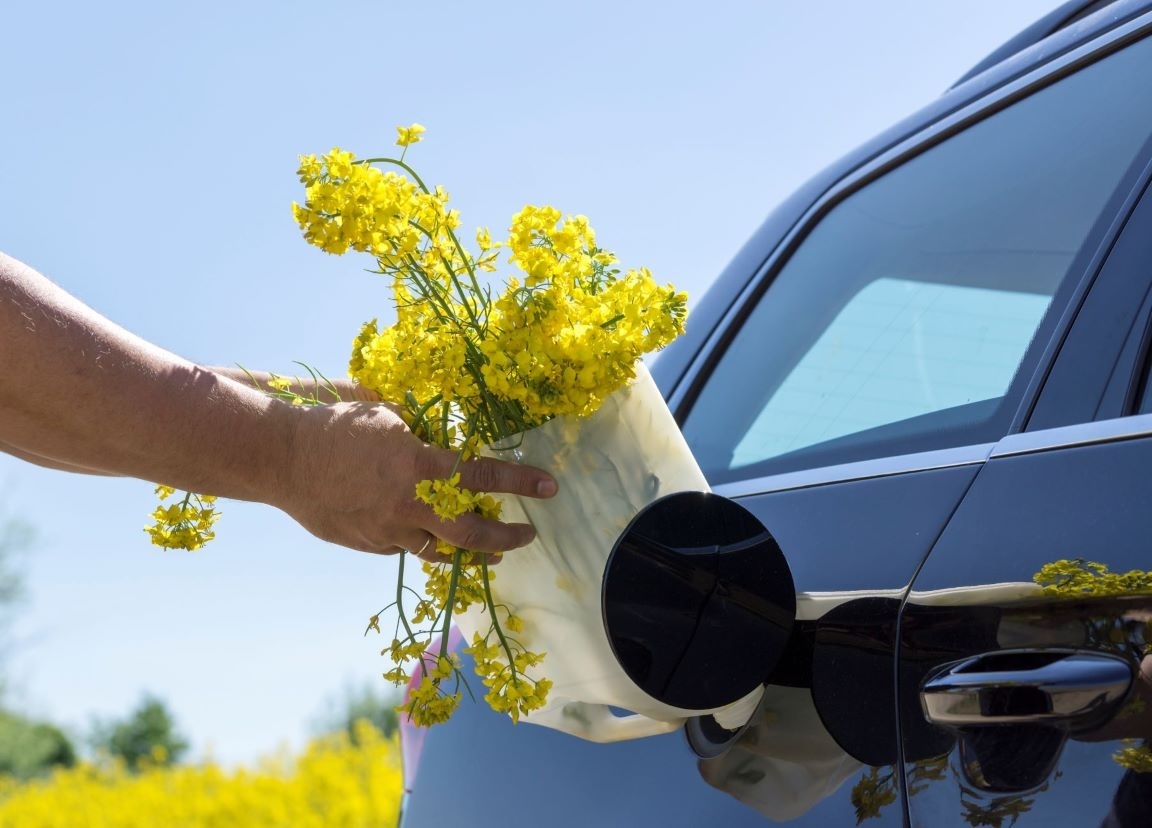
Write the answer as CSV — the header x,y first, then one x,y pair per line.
x,y
860,470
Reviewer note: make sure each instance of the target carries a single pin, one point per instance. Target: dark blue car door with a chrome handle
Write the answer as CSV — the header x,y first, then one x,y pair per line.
x,y
1025,672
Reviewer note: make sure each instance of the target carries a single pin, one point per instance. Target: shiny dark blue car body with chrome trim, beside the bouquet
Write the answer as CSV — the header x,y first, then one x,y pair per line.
x,y
927,375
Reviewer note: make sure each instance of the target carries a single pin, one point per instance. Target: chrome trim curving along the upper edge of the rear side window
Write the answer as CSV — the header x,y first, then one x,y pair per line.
x,y
916,143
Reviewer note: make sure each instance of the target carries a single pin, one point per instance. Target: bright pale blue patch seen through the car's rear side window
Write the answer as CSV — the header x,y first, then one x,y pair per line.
x,y
900,348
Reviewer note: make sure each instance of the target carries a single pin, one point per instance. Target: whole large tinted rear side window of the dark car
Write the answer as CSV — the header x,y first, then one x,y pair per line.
x,y
901,322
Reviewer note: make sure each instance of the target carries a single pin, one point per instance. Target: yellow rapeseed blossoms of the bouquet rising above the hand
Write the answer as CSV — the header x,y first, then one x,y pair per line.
x,y
563,337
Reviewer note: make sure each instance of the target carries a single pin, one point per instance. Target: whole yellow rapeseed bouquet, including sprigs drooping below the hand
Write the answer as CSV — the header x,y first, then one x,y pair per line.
x,y
474,366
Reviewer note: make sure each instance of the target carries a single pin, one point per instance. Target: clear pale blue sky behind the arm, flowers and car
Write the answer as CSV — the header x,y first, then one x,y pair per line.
x,y
148,165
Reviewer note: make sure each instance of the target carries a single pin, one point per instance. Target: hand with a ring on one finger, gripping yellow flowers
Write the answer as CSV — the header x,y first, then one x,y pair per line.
x,y
354,470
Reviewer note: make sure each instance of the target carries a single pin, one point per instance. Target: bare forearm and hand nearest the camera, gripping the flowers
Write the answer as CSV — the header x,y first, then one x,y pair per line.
x,y
82,393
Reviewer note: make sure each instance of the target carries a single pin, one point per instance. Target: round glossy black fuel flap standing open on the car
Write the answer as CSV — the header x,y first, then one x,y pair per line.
x,y
699,602
